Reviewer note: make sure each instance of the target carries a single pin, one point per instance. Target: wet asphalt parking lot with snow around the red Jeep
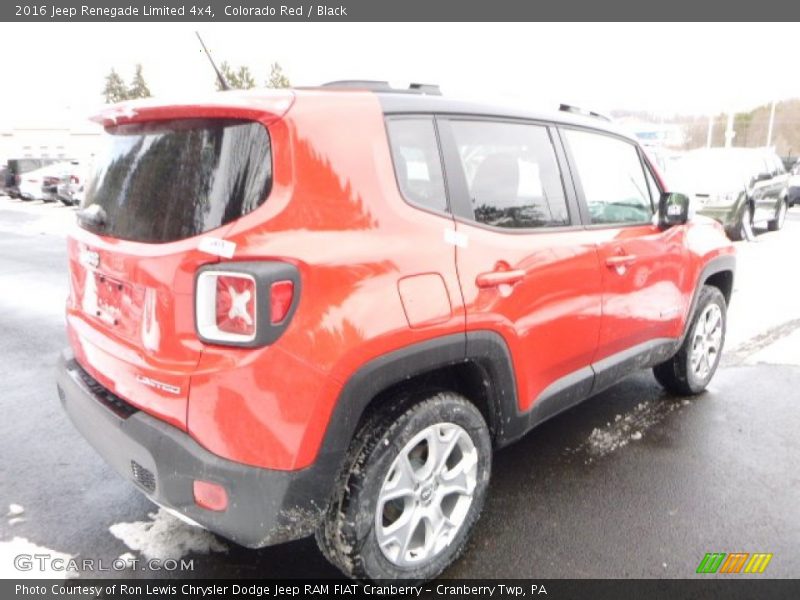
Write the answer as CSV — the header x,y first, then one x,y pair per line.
x,y
633,483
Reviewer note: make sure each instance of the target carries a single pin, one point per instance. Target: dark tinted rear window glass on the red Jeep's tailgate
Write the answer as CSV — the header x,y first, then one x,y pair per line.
x,y
169,180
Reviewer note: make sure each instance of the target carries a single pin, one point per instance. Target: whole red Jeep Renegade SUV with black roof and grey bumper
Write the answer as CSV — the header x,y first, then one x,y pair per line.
x,y
320,310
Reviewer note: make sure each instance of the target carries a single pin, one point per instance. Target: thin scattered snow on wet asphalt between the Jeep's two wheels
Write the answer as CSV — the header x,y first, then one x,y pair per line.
x,y
628,427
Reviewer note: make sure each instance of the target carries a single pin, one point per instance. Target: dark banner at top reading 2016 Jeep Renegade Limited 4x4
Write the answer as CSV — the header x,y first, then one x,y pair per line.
x,y
396,10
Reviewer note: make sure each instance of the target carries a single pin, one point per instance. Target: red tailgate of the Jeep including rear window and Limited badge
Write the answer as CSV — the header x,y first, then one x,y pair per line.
x,y
159,205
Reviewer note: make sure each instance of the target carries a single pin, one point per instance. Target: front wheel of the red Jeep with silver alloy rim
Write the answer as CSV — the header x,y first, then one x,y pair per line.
x,y
691,369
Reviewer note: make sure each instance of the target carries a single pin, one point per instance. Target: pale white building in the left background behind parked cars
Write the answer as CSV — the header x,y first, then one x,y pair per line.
x,y
54,136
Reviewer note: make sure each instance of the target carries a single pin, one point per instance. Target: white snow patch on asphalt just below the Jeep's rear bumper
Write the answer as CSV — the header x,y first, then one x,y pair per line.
x,y
166,536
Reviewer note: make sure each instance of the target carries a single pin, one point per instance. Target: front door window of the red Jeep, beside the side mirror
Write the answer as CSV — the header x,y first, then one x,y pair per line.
x,y
612,178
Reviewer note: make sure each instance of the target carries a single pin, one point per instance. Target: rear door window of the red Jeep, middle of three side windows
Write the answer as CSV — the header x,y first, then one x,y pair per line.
x,y
512,174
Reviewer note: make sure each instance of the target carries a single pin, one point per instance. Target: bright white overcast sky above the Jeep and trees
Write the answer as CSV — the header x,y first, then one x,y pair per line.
x,y
59,68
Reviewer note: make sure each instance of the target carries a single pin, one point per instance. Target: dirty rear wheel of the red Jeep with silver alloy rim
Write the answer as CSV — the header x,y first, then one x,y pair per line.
x,y
412,488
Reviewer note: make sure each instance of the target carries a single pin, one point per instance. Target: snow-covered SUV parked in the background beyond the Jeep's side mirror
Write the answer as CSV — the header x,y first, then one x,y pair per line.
x,y
739,187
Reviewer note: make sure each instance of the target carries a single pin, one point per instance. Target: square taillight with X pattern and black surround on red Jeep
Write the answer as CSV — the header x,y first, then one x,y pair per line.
x,y
245,303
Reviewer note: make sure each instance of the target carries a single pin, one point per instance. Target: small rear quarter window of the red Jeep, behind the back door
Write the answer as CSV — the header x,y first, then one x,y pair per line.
x,y
417,163
